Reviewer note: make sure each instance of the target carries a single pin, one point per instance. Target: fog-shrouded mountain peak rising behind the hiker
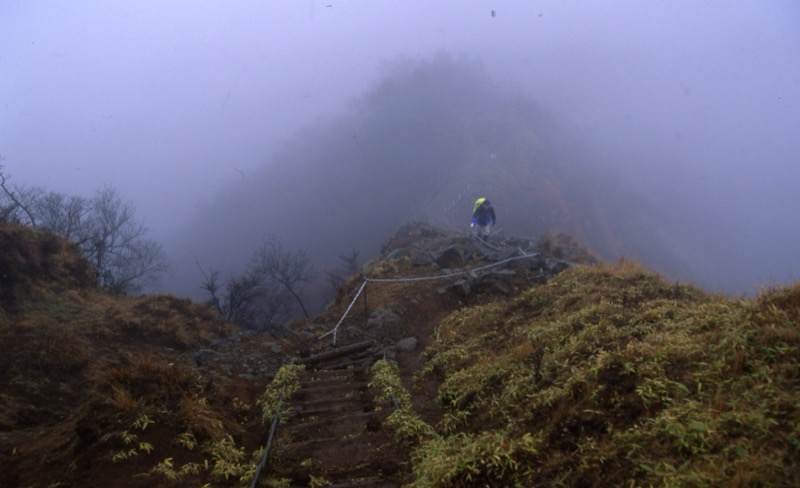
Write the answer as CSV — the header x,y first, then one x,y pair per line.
x,y
423,143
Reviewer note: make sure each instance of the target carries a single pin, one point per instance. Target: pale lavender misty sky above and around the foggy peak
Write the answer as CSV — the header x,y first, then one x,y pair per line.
x,y
695,103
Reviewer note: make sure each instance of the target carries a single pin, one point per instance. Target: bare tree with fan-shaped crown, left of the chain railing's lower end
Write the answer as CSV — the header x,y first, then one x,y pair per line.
x,y
289,270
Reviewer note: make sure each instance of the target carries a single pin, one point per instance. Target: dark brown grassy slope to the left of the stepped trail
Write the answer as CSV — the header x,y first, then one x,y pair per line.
x,y
100,390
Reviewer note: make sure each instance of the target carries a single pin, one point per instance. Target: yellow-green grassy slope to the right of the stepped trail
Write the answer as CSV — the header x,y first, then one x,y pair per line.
x,y
610,376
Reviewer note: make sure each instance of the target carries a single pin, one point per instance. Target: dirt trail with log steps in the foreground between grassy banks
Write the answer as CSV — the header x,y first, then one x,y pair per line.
x,y
335,431
